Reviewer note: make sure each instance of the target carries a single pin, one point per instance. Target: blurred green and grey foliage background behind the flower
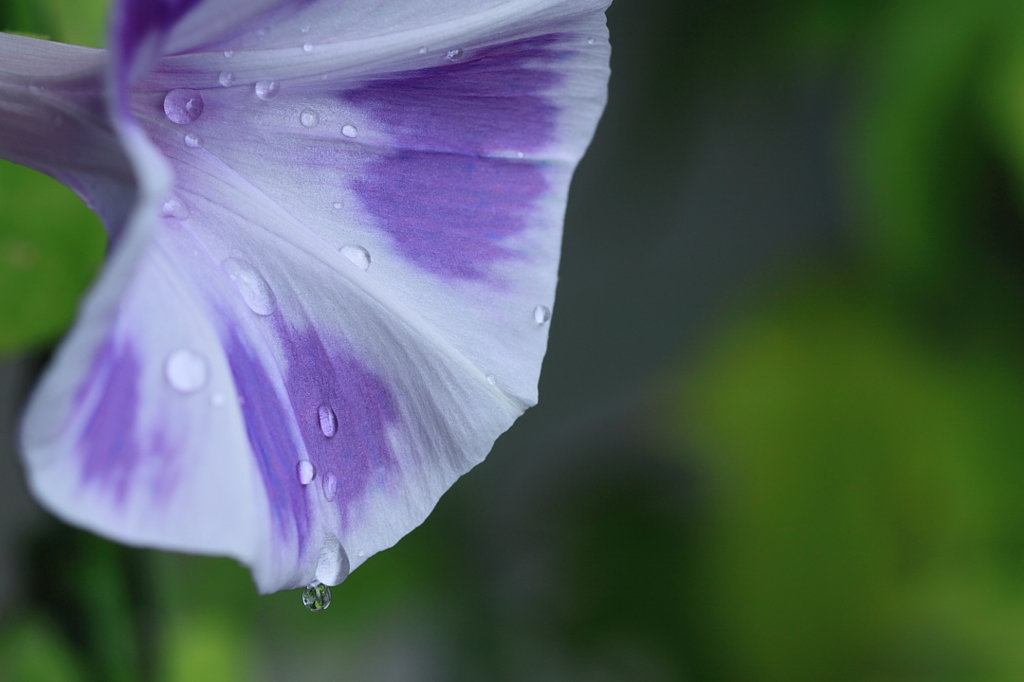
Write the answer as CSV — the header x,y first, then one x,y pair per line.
x,y
782,428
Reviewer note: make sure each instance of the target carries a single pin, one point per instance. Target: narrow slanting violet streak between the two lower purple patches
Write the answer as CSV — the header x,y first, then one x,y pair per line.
x,y
267,425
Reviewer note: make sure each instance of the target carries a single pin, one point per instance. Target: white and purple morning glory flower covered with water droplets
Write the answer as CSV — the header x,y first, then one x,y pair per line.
x,y
334,231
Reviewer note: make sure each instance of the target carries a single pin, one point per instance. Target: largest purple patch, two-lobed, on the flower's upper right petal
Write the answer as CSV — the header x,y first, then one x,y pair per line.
x,y
443,200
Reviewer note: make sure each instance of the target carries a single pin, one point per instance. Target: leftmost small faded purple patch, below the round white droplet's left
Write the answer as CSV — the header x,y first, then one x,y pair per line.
x,y
109,442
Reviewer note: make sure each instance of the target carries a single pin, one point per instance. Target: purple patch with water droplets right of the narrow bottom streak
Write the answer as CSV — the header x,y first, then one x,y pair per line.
x,y
358,454
